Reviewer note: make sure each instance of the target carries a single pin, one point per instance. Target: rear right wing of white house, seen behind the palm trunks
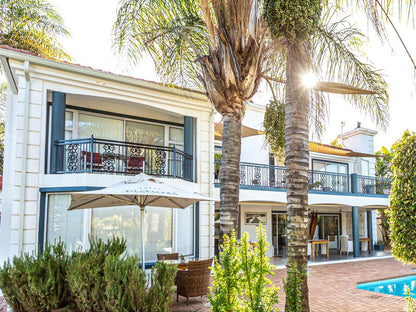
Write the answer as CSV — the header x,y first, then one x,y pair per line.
x,y
343,190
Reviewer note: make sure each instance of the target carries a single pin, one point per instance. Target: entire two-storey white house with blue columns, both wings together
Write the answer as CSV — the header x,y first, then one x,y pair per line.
x,y
71,128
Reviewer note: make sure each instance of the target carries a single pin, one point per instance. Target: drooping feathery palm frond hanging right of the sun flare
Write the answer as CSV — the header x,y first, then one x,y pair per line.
x,y
337,49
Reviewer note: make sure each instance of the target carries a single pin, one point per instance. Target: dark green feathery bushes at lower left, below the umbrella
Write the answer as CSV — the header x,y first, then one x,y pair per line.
x,y
101,279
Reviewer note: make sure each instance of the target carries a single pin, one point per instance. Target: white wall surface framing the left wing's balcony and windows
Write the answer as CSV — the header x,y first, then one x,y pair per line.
x,y
20,217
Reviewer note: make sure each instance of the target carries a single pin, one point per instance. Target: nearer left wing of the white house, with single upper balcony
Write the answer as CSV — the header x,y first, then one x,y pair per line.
x,y
71,128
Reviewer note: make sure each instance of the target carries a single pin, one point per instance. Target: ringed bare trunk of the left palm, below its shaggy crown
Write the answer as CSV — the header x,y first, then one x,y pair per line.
x,y
230,175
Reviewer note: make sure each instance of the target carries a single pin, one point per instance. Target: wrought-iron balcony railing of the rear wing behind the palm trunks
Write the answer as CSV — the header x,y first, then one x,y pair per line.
x,y
267,177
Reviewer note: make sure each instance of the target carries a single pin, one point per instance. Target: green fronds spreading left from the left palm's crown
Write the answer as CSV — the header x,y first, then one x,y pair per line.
x,y
171,32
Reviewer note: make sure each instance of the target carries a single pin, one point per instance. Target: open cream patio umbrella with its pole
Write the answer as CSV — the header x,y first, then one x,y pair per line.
x,y
141,190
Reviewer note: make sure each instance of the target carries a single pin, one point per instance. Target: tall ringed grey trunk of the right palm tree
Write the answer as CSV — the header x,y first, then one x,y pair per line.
x,y
297,164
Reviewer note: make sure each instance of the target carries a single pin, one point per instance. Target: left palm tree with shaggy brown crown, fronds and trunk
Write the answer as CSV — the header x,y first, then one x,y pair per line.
x,y
222,46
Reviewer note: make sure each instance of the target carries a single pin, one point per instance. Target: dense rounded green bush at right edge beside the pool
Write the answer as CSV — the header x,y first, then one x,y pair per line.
x,y
402,212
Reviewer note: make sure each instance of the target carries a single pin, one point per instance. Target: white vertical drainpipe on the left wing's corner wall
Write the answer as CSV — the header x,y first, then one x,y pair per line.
x,y
24,158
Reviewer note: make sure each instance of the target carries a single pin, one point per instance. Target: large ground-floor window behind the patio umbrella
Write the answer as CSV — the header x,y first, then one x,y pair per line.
x,y
74,227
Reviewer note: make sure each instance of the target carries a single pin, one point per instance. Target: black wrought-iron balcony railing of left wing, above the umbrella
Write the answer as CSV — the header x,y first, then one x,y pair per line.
x,y
106,156
